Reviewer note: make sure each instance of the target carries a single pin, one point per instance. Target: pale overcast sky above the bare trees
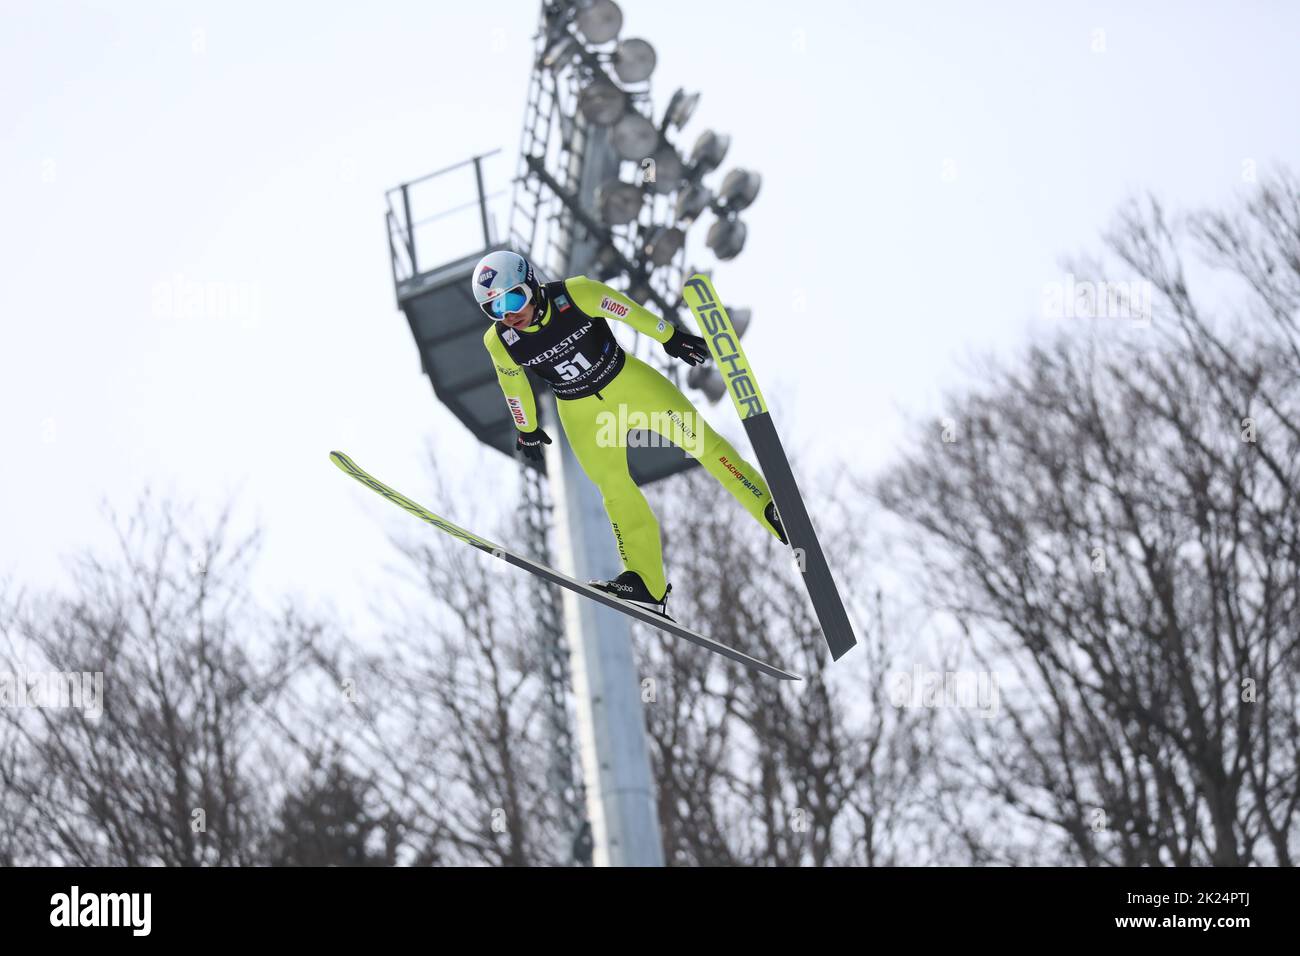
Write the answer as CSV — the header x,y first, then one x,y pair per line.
x,y
925,168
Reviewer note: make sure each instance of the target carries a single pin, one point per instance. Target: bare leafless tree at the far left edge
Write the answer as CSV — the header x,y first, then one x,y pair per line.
x,y
177,767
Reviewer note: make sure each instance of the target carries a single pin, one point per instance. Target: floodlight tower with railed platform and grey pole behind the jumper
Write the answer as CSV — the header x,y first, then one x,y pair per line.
x,y
601,191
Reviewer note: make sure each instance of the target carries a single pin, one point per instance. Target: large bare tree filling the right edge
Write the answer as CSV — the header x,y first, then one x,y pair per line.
x,y
1119,524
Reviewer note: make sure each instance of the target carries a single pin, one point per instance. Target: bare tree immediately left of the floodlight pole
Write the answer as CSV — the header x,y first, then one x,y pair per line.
x,y
448,723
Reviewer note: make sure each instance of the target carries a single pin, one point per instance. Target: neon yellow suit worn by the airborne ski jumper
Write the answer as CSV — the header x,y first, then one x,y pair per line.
x,y
603,392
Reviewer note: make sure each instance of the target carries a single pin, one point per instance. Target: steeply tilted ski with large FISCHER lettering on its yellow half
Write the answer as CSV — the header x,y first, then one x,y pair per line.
x,y
716,326
